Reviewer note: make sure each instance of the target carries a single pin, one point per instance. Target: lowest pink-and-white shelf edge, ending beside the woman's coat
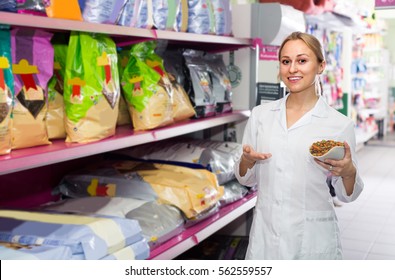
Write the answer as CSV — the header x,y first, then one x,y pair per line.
x,y
197,233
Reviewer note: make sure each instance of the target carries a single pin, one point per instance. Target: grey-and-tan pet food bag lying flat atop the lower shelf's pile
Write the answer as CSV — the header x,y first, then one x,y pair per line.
x,y
191,190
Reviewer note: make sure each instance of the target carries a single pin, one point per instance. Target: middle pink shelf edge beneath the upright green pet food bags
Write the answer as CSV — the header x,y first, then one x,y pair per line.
x,y
125,137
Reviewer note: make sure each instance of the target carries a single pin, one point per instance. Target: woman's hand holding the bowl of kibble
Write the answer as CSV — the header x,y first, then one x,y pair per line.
x,y
343,168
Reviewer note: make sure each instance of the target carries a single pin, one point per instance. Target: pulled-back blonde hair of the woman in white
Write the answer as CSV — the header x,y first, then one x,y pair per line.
x,y
314,45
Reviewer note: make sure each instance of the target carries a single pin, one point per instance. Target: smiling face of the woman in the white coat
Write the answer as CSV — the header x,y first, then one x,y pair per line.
x,y
299,67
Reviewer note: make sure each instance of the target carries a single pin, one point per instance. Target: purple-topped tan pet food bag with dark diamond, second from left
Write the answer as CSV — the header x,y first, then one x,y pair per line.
x,y
32,56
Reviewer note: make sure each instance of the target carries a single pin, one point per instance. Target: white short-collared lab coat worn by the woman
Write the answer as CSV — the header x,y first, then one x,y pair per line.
x,y
294,217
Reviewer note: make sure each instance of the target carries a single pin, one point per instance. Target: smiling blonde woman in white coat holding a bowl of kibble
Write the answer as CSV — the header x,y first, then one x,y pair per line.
x,y
294,216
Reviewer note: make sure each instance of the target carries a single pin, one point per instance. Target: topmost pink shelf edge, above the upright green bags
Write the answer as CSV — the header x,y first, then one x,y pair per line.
x,y
125,35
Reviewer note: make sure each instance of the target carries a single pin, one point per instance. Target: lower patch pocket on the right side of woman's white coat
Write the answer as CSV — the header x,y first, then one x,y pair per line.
x,y
321,237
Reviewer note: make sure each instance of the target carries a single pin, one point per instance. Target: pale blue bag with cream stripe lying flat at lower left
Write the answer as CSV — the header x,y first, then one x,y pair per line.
x,y
90,237
